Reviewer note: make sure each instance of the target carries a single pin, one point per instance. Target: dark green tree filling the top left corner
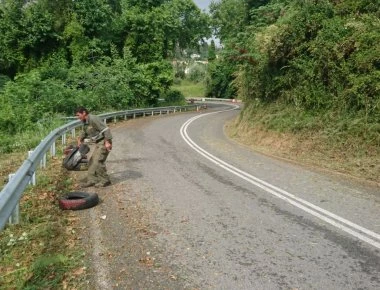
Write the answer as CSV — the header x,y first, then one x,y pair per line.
x,y
30,32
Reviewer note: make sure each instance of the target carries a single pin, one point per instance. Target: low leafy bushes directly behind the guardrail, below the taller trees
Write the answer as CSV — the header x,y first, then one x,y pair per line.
x,y
120,85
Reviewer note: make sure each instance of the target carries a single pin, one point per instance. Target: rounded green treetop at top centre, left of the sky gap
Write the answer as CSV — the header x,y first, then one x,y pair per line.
x,y
155,31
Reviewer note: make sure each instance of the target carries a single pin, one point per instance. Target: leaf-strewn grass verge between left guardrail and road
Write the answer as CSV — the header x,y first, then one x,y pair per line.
x,y
40,252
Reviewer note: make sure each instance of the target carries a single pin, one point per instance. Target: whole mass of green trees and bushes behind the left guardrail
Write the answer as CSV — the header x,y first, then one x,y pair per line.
x,y
104,54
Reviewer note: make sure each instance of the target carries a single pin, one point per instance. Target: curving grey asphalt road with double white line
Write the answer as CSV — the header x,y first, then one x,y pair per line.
x,y
191,209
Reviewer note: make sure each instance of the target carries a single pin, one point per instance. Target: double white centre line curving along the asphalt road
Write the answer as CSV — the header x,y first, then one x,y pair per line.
x,y
353,229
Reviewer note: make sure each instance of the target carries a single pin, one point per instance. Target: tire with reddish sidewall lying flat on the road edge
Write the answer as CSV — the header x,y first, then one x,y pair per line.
x,y
78,200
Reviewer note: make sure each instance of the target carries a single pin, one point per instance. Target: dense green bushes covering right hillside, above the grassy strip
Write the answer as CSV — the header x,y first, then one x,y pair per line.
x,y
314,56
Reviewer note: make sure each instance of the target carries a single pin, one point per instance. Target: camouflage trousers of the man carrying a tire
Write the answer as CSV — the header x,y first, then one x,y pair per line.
x,y
97,171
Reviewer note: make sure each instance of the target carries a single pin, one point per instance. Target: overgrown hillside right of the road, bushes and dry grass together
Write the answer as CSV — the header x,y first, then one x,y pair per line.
x,y
306,69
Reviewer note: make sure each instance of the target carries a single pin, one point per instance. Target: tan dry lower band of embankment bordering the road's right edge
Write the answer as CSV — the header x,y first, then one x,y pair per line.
x,y
311,150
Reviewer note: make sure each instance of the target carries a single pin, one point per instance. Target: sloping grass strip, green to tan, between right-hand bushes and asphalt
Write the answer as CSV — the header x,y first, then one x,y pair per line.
x,y
343,143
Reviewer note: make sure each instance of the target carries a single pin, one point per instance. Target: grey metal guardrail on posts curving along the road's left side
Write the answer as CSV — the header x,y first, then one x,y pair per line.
x,y
25,175
